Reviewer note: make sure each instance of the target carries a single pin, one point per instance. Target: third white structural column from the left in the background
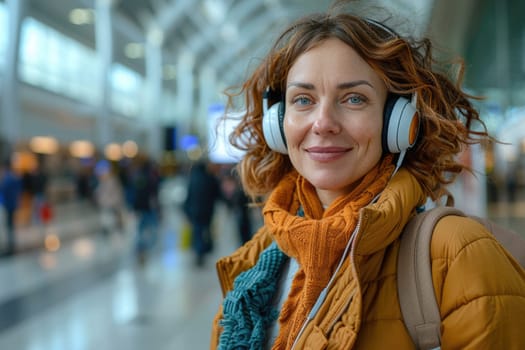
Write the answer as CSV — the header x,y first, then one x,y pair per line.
x,y
153,96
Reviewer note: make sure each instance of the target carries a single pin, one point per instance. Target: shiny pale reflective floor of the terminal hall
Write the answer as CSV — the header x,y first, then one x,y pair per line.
x,y
93,292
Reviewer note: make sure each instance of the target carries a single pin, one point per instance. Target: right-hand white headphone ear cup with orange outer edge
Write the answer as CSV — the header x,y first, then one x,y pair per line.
x,y
400,124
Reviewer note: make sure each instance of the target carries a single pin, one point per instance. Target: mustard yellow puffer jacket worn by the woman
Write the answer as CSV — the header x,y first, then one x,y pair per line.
x,y
480,288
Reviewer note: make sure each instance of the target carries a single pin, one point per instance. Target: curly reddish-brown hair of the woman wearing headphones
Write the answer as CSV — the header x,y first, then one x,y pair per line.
x,y
449,121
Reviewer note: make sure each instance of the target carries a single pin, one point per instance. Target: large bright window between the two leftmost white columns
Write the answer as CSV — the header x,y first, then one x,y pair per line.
x,y
55,62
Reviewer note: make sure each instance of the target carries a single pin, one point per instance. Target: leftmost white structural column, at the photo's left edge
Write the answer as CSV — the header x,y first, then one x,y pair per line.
x,y
10,129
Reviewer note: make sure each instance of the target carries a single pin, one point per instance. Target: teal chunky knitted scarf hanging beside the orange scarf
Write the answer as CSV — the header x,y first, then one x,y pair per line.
x,y
247,311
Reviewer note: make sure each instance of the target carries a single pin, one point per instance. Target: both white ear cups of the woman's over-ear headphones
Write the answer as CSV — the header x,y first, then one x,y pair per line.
x,y
400,124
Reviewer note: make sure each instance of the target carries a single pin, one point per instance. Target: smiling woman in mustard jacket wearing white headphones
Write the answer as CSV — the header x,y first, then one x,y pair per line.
x,y
339,189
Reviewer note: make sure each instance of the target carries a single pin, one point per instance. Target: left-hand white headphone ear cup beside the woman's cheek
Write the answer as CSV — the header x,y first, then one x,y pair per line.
x,y
273,130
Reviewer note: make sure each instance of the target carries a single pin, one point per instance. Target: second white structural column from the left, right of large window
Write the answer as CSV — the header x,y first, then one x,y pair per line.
x,y
104,38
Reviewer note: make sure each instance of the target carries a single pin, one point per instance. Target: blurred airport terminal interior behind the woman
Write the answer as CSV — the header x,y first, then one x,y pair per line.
x,y
94,92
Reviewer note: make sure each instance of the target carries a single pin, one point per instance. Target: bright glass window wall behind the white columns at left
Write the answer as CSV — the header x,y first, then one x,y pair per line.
x,y
55,62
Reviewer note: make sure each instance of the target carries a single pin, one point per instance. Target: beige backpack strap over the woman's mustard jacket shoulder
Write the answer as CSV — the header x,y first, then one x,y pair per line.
x,y
414,278
